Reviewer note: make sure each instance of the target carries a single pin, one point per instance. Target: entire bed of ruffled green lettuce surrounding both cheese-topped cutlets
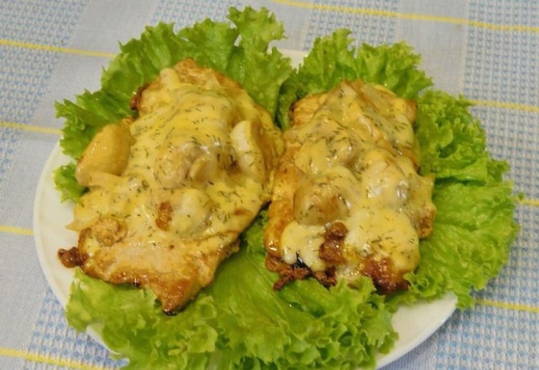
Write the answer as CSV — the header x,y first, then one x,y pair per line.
x,y
239,321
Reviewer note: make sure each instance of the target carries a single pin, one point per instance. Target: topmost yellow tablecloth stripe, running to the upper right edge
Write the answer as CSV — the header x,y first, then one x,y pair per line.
x,y
410,16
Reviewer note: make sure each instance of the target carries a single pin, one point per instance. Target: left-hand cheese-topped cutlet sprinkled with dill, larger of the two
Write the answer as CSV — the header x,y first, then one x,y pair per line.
x,y
171,191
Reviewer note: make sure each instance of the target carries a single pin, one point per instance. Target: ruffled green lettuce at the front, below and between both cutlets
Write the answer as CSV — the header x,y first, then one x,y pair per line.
x,y
239,321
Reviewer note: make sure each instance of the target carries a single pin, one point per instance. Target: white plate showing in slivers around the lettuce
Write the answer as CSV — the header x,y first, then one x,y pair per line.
x,y
414,324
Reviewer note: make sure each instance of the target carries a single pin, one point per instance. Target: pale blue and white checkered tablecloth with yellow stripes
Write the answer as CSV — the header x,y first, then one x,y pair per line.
x,y
487,50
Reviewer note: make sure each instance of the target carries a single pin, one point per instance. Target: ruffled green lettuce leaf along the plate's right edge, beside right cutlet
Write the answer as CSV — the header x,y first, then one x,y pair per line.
x,y
474,226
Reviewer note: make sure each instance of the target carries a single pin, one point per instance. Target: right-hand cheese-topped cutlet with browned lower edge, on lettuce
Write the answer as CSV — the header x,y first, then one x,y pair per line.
x,y
347,198
